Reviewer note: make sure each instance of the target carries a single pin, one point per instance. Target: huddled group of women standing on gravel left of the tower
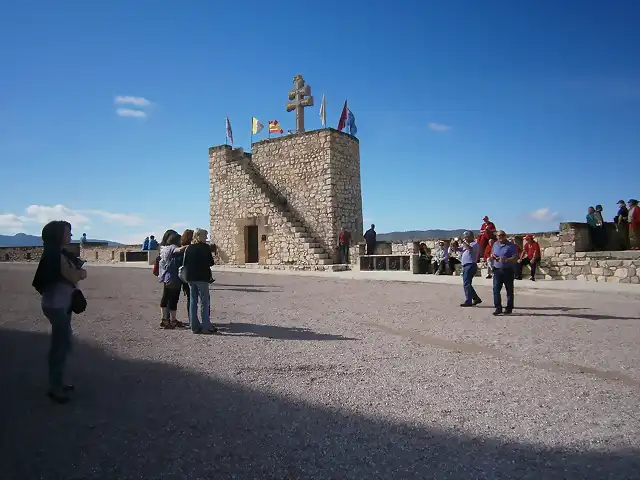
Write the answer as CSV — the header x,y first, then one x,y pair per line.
x,y
184,265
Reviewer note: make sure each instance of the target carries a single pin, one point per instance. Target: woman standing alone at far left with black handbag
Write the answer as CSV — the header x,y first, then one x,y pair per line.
x,y
58,273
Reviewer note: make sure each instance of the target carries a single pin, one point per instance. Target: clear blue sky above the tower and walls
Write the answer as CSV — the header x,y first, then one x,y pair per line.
x,y
527,111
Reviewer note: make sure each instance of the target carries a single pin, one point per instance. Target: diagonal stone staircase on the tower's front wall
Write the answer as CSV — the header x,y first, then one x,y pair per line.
x,y
294,222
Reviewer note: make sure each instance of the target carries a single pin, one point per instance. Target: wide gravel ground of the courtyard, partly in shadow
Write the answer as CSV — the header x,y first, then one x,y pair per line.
x,y
317,378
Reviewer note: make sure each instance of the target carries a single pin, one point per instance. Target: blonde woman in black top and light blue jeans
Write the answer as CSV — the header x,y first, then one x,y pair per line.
x,y
198,260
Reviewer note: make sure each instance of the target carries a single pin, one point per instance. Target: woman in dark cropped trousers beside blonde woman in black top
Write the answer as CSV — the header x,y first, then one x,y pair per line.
x,y
171,254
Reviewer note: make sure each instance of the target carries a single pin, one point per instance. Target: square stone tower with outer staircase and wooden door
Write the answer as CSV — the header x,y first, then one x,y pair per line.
x,y
284,203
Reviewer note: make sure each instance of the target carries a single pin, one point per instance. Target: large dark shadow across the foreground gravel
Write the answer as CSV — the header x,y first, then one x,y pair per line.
x,y
149,420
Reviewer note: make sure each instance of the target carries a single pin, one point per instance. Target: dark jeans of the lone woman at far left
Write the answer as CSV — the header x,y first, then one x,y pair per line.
x,y
60,345
